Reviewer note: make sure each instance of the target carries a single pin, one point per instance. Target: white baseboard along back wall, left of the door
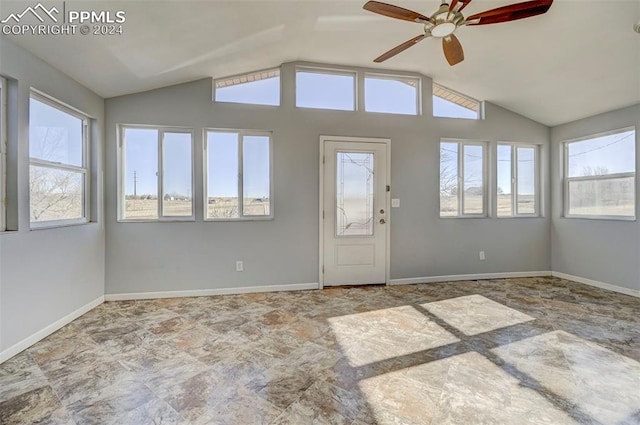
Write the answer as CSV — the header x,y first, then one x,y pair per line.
x,y
209,292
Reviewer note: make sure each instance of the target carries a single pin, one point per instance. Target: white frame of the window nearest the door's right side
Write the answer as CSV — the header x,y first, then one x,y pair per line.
x,y
460,192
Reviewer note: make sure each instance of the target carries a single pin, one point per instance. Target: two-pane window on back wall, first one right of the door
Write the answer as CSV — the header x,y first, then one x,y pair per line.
x,y
462,179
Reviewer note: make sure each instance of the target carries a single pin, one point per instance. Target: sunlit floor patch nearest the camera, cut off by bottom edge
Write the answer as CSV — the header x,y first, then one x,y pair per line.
x,y
466,388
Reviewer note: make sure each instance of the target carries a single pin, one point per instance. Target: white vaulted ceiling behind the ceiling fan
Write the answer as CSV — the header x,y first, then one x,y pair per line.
x,y
579,59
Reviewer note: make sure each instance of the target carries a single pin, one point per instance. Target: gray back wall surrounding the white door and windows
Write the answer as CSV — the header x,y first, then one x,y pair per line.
x,y
144,257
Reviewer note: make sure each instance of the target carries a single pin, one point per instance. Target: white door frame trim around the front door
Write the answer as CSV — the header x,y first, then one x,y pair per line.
x,y
387,201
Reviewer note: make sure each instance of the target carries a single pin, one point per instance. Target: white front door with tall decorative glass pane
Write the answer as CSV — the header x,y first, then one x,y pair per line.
x,y
355,210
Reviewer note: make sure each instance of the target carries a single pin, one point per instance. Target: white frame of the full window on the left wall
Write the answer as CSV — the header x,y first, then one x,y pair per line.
x,y
84,169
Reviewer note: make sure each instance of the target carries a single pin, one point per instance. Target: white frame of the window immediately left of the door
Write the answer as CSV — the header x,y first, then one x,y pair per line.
x,y
240,134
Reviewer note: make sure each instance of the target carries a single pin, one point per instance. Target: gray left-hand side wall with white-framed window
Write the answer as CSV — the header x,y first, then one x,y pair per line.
x,y
44,274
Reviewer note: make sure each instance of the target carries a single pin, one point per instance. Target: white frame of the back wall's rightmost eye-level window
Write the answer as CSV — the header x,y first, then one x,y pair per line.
x,y
514,180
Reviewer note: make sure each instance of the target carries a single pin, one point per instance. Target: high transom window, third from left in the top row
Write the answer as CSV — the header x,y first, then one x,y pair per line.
x,y
393,95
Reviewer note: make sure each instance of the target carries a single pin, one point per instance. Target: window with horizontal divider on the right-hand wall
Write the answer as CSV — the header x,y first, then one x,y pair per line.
x,y
600,176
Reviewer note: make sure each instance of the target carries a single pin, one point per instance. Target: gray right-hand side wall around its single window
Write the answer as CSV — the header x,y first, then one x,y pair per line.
x,y
601,250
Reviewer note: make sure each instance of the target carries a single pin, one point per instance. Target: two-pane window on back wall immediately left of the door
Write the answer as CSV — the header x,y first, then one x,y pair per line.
x,y
237,175
